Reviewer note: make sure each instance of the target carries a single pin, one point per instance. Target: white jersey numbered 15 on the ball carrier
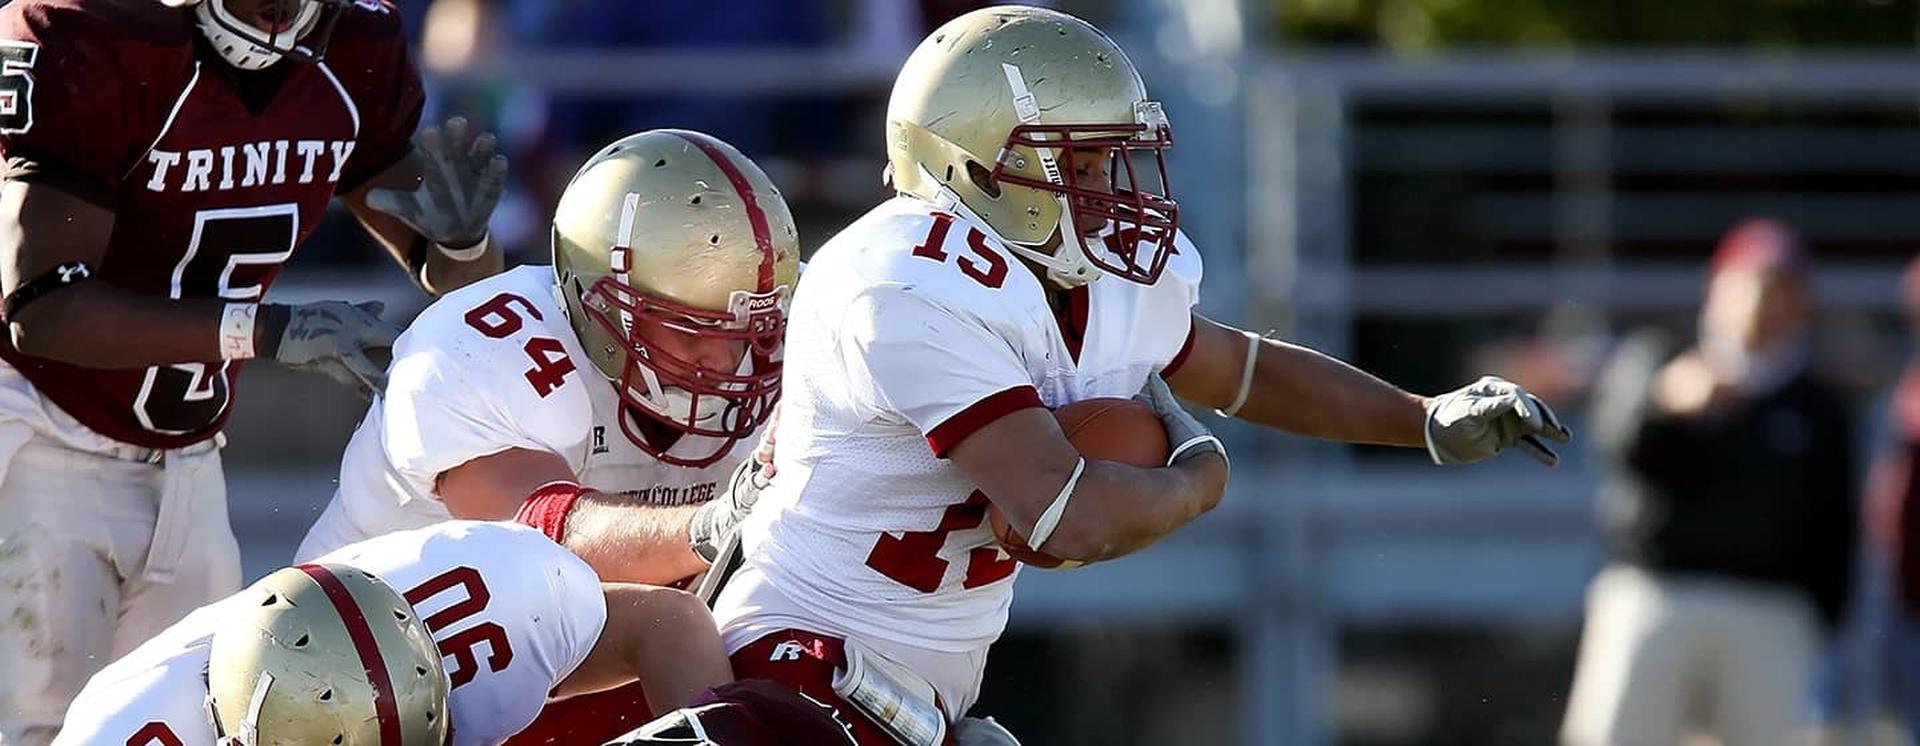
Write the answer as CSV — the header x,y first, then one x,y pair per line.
x,y
913,329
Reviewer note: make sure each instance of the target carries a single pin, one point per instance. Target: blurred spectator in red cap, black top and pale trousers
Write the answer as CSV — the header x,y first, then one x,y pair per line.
x,y
1731,519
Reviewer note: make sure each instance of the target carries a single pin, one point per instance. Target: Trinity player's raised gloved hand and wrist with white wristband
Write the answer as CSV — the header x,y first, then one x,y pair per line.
x,y
431,208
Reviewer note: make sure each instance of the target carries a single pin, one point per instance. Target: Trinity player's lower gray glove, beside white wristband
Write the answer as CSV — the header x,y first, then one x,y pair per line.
x,y
347,342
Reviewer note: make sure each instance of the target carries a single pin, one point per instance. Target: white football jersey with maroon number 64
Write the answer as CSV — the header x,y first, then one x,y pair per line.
x,y
494,367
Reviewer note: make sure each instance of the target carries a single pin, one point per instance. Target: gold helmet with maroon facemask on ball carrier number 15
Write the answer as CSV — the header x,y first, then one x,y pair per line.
x,y
999,105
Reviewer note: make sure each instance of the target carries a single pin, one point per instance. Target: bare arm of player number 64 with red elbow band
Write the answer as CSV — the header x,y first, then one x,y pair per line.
x,y
621,538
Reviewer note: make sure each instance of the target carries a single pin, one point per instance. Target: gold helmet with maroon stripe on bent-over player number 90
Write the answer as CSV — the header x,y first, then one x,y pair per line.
x,y
325,655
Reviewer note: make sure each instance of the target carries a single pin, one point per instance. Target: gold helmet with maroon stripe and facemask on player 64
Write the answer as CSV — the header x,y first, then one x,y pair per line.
x,y
679,231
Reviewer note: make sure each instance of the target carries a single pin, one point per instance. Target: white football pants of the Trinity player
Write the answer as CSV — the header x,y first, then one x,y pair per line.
x,y
91,565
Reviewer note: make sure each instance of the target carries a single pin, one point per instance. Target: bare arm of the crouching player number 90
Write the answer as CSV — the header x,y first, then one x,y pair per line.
x,y
663,638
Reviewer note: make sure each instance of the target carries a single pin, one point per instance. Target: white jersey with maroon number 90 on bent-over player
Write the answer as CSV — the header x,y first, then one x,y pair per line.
x,y
514,615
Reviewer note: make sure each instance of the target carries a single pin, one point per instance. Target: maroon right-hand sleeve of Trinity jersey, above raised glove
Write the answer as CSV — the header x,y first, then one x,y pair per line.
x,y
370,55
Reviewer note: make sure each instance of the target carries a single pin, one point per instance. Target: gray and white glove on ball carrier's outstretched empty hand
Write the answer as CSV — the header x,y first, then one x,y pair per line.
x,y
1489,417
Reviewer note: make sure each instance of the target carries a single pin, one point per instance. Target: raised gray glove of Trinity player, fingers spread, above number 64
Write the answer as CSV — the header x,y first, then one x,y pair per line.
x,y
462,179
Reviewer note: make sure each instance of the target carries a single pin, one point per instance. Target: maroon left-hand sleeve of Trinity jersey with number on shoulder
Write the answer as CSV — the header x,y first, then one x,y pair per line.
x,y
80,87
